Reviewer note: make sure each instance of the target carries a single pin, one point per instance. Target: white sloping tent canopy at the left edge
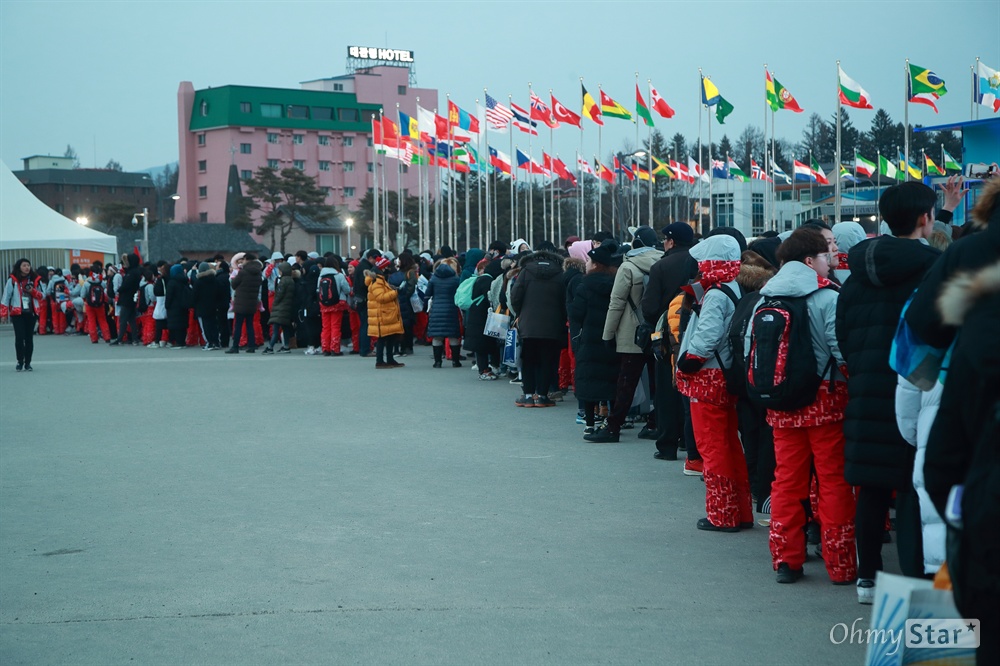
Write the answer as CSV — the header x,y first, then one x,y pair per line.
x,y
28,224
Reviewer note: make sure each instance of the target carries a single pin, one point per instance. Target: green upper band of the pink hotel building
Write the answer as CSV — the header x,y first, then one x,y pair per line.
x,y
280,108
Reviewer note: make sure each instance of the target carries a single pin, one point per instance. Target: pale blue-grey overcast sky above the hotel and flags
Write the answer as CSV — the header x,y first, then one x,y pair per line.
x,y
103,76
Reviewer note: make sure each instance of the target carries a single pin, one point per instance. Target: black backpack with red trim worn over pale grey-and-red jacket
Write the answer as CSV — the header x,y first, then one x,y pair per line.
x,y
781,367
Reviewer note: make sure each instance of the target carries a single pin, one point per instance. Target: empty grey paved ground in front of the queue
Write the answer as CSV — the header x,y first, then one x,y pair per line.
x,y
167,507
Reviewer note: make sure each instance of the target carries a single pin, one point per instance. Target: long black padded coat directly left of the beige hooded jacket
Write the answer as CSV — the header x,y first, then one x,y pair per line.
x,y
596,365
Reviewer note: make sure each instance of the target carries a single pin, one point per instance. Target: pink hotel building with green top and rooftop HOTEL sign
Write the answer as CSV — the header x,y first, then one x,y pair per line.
x,y
323,128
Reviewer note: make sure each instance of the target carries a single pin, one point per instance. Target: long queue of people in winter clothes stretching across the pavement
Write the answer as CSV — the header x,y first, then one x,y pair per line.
x,y
802,374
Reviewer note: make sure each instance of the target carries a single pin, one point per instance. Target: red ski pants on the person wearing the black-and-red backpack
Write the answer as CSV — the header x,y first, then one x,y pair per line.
x,y
795,449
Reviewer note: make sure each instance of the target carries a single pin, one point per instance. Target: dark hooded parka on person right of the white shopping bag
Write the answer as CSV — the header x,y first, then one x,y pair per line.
x,y
539,297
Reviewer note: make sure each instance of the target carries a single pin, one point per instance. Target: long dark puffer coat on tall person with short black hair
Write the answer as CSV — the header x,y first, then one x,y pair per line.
x,y
884,273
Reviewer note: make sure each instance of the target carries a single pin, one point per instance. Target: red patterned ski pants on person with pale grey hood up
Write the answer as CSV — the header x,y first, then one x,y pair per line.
x,y
727,488
